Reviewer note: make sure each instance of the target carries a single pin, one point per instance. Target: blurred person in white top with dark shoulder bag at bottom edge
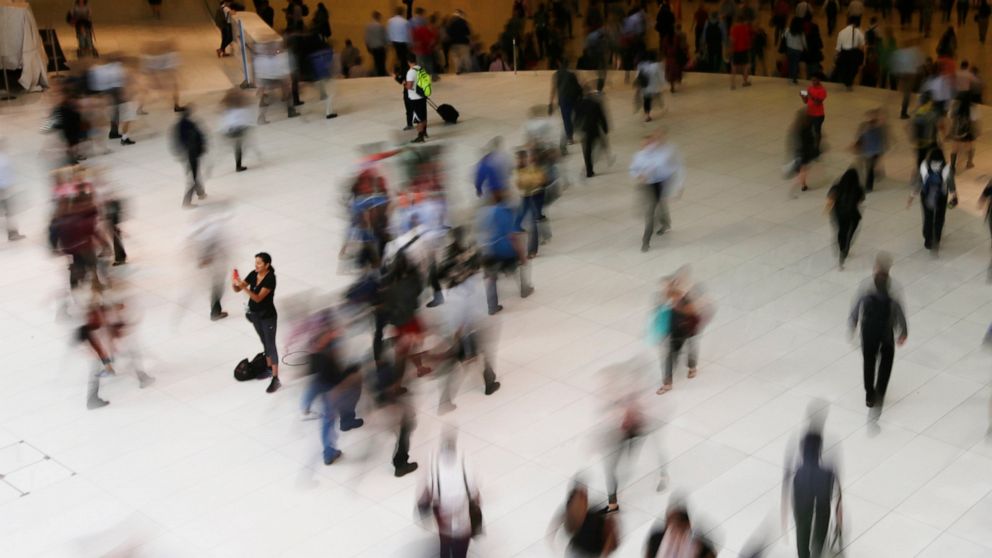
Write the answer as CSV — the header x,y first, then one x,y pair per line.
x,y
452,496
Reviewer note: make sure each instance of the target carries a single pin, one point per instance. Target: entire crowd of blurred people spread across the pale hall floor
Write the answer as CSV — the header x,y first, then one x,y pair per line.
x,y
413,309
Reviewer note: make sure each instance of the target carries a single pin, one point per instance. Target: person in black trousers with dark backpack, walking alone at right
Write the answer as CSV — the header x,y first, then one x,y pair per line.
x,y
880,314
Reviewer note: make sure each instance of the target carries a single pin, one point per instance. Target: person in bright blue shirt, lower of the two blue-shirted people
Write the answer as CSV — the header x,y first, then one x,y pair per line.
x,y
502,248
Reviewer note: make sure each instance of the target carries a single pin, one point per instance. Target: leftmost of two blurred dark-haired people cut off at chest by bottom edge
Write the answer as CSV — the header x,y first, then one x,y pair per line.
x,y
591,533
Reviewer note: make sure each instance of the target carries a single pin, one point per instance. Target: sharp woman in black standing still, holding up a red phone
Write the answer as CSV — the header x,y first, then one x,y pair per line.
x,y
260,286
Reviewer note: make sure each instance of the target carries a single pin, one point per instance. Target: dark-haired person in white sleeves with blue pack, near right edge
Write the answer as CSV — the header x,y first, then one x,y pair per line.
x,y
937,192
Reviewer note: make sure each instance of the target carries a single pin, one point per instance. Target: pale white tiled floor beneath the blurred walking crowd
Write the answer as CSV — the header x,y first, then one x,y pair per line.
x,y
199,465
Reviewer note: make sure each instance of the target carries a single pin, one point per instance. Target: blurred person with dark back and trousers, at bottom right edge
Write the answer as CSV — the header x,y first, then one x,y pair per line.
x,y
812,487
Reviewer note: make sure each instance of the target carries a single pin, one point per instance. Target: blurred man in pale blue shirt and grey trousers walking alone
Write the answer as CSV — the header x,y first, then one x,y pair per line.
x,y
658,167
